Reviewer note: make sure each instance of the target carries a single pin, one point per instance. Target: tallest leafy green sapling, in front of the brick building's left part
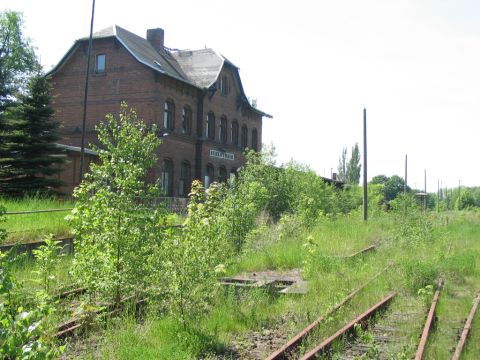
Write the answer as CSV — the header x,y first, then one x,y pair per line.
x,y
116,223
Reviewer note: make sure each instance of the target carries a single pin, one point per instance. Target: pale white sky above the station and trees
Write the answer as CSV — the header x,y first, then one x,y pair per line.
x,y
414,65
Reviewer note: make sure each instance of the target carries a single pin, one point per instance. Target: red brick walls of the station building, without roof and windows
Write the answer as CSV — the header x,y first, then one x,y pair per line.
x,y
147,90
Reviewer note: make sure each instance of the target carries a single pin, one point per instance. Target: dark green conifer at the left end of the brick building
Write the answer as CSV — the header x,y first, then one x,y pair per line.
x,y
29,156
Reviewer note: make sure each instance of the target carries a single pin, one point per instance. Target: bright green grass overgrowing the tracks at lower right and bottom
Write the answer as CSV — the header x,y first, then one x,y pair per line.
x,y
422,248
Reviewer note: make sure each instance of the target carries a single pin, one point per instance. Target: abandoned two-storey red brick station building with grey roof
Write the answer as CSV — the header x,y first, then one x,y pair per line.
x,y
195,97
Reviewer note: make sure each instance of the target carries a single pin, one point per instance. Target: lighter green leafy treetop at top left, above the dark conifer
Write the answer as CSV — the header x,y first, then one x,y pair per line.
x,y
17,57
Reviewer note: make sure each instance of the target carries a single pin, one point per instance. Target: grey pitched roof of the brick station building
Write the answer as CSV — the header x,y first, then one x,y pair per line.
x,y
199,68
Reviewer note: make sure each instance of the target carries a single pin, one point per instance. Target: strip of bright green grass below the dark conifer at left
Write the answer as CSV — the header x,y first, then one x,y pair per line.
x,y
31,227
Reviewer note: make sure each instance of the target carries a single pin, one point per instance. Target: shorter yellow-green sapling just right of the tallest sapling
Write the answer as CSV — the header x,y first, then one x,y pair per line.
x,y
190,261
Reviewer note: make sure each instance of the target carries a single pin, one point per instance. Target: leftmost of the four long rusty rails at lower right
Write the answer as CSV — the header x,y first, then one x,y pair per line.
x,y
283,352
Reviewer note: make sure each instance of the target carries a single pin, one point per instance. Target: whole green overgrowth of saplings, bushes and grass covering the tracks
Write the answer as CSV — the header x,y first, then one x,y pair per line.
x,y
266,219
